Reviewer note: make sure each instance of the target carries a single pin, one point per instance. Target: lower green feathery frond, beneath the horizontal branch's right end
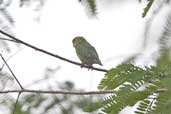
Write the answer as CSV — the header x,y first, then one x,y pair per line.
x,y
125,96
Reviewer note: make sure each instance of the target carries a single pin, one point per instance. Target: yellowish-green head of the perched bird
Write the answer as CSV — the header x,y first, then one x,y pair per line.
x,y
78,40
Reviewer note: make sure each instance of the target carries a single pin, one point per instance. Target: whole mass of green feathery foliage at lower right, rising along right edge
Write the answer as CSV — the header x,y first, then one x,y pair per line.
x,y
148,86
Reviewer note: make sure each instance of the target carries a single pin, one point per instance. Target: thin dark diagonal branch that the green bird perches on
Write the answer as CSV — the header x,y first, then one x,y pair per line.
x,y
49,53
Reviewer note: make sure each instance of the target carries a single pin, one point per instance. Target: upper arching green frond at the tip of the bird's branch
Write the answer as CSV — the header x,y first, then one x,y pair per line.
x,y
123,73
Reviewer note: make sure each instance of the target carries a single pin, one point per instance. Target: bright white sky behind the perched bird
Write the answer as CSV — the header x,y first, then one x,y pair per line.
x,y
116,33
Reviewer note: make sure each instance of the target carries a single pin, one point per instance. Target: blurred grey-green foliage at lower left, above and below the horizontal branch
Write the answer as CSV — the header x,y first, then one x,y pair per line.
x,y
42,103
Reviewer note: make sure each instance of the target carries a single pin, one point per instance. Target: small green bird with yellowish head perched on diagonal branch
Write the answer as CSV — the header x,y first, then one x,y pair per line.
x,y
85,52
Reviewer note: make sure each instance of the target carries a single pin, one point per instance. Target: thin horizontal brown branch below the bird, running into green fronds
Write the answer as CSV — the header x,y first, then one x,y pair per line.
x,y
57,92
